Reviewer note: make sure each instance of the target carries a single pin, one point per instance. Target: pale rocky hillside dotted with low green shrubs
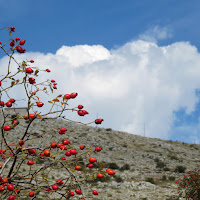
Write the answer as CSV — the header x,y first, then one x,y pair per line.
x,y
146,168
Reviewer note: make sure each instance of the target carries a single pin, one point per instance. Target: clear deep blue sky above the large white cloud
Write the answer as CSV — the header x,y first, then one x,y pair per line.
x,y
106,22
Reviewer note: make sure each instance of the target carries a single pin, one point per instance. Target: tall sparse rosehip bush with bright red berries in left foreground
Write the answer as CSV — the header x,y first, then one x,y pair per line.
x,y
29,167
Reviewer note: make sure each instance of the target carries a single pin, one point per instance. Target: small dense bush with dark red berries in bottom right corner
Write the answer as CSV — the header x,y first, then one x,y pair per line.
x,y
189,186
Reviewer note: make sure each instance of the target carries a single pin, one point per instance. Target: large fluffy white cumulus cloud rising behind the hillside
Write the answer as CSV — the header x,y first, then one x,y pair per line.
x,y
135,83
